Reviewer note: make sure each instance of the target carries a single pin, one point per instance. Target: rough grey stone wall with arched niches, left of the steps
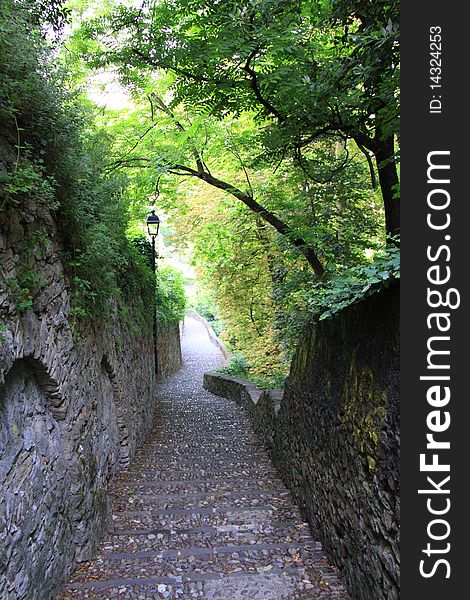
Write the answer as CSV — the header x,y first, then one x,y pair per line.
x,y
73,410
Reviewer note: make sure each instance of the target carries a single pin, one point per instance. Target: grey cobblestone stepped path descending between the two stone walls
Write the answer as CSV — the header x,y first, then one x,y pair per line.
x,y
201,512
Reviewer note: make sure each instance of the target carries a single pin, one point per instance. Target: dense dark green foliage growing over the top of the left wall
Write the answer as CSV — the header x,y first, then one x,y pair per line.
x,y
58,162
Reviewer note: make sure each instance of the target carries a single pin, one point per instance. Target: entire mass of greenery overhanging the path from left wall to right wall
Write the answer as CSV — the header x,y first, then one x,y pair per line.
x,y
266,130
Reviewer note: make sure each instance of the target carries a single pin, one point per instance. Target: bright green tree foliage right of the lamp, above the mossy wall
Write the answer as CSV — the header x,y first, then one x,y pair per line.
x,y
282,101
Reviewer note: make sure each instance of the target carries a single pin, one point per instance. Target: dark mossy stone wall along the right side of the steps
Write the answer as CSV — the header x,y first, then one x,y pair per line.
x,y
334,438
